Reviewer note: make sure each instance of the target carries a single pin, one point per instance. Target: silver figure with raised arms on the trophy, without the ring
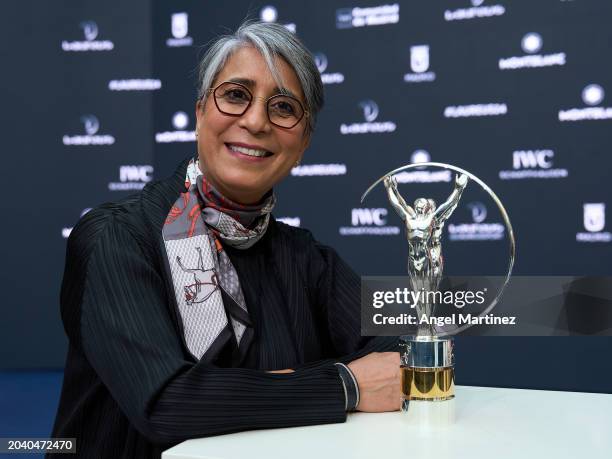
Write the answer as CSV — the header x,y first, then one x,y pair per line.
x,y
424,225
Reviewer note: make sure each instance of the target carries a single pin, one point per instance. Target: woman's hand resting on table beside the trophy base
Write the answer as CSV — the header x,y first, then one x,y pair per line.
x,y
378,378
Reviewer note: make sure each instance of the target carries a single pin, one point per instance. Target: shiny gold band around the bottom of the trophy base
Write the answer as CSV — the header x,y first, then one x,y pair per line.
x,y
428,384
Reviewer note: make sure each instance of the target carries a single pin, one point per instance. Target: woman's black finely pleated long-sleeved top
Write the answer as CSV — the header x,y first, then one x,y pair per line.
x,y
132,389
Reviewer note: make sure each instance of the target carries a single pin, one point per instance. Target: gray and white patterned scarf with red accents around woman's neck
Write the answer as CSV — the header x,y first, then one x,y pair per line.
x,y
206,284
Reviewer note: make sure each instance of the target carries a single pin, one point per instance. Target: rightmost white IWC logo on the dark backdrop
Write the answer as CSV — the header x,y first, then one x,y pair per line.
x,y
533,164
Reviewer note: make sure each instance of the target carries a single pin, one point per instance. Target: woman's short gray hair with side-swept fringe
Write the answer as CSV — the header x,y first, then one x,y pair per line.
x,y
271,40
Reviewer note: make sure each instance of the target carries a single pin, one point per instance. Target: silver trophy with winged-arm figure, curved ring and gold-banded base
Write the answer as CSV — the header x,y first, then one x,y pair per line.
x,y
427,360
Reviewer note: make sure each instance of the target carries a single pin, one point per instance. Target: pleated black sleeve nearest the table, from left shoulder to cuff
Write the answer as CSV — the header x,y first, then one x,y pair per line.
x,y
127,336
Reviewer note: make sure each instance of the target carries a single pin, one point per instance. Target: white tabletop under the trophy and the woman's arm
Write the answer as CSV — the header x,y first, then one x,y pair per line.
x,y
490,423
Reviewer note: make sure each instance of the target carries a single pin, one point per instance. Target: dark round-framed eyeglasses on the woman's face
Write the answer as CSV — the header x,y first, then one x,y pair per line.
x,y
234,99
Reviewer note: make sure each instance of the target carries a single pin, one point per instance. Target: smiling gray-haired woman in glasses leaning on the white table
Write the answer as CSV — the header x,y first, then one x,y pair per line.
x,y
189,310
